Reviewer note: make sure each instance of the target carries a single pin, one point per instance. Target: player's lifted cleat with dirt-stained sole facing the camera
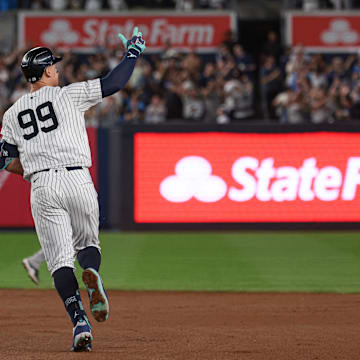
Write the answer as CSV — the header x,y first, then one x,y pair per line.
x,y
99,304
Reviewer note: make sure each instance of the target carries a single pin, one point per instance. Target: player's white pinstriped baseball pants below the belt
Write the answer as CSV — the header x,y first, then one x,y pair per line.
x,y
65,209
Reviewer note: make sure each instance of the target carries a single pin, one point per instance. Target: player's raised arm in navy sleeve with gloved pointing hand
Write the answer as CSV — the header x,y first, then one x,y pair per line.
x,y
119,76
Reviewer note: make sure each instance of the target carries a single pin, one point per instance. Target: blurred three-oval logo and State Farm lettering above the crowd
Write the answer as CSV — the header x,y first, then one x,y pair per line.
x,y
101,31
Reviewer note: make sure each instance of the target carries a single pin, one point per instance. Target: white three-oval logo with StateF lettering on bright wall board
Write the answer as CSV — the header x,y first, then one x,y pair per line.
x,y
261,180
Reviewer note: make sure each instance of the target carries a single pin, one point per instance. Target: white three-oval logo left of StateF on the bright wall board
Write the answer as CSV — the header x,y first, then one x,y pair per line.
x,y
193,179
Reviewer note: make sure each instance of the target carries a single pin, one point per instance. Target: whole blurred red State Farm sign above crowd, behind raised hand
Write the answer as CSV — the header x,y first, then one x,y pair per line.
x,y
84,31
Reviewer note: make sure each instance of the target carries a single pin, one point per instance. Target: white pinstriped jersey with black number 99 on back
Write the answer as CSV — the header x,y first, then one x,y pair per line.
x,y
48,126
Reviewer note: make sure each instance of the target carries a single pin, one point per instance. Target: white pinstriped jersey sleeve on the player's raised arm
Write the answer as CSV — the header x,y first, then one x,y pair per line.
x,y
85,94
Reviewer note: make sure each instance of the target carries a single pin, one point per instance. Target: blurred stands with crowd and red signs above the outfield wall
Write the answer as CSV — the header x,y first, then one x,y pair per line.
x,y
208,61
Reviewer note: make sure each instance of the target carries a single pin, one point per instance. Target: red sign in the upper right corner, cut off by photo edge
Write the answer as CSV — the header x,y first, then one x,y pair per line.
x,y
325,31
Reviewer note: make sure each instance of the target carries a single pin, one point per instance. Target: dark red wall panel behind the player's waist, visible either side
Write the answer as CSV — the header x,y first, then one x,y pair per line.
x,y
15,192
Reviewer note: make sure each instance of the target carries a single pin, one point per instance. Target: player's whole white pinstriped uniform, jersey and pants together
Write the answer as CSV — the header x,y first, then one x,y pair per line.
x,y
48,127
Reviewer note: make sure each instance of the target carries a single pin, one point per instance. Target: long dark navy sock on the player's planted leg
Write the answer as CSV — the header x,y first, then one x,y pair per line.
x,y
68,289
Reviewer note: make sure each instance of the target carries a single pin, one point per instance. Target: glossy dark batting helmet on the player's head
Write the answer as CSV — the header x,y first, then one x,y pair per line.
x,y
35,61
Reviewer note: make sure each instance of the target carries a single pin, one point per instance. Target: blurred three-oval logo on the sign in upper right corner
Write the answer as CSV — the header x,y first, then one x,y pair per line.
x,y
340,32
